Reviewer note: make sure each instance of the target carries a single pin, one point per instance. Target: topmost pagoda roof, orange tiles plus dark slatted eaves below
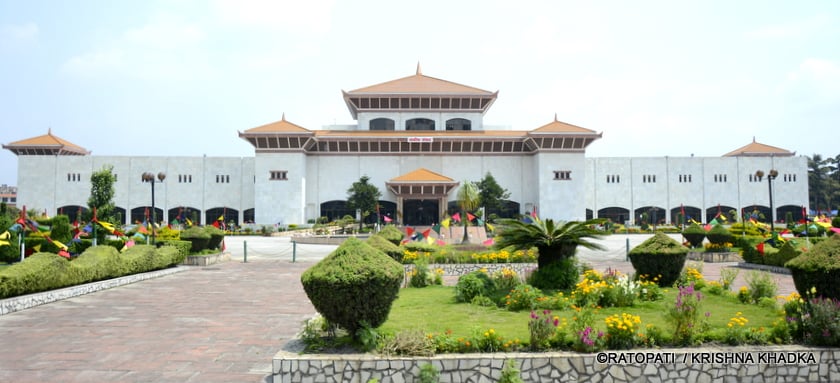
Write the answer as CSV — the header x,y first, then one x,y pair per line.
x,y
418,93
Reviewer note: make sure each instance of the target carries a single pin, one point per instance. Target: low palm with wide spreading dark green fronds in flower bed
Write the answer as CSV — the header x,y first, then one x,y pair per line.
x,y
555,241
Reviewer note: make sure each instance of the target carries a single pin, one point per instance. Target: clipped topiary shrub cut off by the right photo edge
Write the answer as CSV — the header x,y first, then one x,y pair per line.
x,y
818,268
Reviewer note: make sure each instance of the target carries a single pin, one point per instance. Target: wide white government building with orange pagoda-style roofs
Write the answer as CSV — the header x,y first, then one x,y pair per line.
x,y
417,138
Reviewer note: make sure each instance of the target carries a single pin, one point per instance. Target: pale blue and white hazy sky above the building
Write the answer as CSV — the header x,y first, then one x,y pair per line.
x,y
182,77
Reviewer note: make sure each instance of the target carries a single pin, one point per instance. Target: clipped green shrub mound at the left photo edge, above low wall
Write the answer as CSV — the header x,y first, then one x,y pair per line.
x,y
38,272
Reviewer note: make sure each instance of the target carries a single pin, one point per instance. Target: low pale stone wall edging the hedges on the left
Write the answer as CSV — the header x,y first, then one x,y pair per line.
x,y
10,305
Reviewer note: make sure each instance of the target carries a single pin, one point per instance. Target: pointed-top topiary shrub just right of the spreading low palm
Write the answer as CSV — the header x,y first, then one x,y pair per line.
x,y
661,256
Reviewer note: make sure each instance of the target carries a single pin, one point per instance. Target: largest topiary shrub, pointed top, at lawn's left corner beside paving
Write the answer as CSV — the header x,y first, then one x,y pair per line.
x,y
353,285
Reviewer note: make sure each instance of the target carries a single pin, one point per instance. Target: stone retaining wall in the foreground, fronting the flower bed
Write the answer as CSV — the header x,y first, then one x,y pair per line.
x,y
726,364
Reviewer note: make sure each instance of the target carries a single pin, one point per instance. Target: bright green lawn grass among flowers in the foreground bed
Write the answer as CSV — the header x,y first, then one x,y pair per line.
x,y
434,310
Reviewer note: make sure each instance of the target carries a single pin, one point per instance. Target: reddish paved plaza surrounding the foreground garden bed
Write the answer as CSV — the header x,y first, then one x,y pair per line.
x,y
221,323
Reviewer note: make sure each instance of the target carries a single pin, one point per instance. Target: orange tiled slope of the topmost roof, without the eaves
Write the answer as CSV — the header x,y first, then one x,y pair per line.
x,y
420,84
